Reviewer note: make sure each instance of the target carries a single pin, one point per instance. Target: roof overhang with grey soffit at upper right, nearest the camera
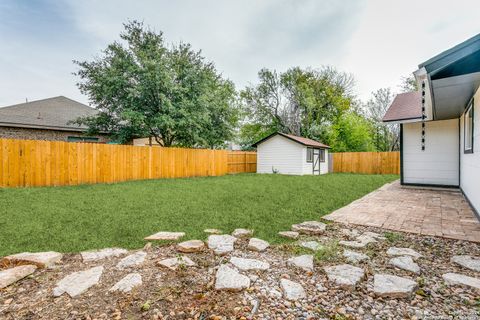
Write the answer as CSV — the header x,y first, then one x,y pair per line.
x,y
451,79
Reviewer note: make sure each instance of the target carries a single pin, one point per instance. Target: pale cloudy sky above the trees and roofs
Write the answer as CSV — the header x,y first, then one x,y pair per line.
x,y
378,41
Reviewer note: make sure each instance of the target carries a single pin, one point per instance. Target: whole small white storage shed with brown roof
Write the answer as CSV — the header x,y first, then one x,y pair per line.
x,y
289,154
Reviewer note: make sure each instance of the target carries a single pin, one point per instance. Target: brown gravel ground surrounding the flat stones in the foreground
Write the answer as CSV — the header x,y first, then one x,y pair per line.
x,y
188,293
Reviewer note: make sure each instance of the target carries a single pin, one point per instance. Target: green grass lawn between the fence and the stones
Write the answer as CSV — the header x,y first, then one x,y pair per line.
x,y
71,219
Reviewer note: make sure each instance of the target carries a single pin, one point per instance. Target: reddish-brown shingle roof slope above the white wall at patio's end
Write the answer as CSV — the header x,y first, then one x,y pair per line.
x,y
405,106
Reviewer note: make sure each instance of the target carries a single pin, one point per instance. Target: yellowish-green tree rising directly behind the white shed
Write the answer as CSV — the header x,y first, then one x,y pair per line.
x,y
303,102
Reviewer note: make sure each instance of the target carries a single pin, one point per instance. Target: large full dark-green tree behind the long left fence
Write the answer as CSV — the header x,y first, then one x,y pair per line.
x,y
143,87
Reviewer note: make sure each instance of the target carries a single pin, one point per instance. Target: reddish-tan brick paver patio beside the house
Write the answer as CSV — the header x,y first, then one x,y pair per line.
x,y
443,213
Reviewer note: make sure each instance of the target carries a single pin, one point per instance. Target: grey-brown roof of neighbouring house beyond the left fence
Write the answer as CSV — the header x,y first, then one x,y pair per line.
x,y
52,113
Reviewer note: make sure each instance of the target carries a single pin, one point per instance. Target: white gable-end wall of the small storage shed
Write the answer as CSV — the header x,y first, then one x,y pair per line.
x,y
281,154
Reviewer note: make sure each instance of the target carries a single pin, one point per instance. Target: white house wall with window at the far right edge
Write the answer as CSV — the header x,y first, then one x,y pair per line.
x,y
470,162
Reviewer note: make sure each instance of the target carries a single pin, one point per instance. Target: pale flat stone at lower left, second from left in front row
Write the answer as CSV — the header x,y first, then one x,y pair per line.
x,y
78,282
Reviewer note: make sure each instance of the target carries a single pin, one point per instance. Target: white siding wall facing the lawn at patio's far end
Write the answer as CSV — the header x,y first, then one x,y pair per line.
x,y
439,163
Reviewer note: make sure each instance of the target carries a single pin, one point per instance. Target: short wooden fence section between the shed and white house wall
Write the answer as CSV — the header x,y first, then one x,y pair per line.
x,y
367,162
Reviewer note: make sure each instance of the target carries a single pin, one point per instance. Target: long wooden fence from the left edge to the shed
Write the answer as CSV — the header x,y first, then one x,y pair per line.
x,y
56,163
